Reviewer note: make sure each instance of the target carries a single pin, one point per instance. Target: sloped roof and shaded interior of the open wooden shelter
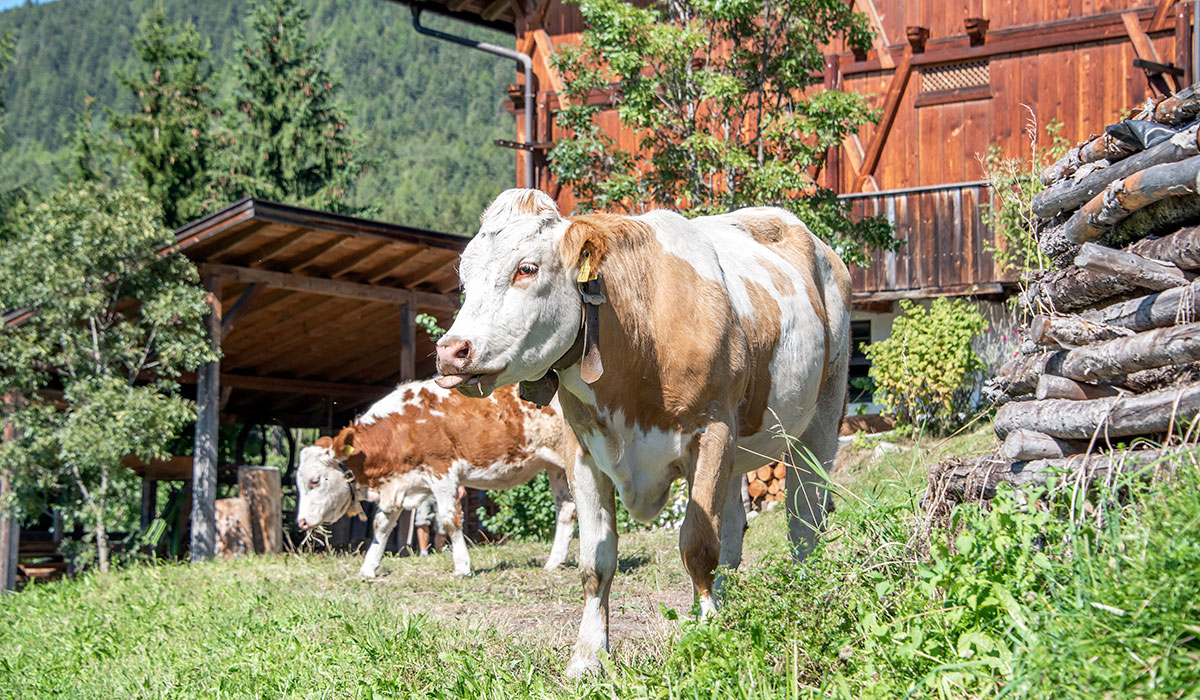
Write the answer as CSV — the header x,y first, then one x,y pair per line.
x,y
317,309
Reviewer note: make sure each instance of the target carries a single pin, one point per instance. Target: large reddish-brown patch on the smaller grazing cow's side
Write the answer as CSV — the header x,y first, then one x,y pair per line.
x,y
477,432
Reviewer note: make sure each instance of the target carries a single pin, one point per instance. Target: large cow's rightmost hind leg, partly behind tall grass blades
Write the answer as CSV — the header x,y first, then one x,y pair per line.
x,y
808,495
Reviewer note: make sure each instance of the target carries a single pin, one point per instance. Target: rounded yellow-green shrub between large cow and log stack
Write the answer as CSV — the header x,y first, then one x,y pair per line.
x,y
926,373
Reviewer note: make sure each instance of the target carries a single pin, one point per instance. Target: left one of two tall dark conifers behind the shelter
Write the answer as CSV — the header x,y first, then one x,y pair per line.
x,y
169,140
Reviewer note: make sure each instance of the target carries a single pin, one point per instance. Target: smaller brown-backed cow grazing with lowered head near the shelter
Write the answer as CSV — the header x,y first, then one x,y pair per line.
x,y
423,440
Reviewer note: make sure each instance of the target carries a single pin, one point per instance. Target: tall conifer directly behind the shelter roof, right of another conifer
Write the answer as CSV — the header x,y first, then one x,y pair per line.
x,y
290,141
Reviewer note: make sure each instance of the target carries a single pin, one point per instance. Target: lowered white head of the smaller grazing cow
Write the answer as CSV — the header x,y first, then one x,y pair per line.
x,y
323,486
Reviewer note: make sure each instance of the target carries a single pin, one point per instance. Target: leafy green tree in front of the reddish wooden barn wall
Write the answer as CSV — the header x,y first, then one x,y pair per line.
x,y
727,110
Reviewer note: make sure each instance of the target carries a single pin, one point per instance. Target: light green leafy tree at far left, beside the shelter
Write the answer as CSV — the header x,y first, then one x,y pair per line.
x,y
100,326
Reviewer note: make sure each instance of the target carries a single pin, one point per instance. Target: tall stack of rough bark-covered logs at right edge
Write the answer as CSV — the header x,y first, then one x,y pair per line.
x,y
1114,351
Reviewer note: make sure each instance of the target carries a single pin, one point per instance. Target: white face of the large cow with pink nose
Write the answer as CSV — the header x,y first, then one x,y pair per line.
x,y
523,308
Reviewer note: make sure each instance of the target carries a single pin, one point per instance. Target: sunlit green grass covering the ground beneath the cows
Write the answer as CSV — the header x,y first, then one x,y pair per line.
x,y
1009,602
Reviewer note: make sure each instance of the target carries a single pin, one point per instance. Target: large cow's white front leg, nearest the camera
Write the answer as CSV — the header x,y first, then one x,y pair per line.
x,y
597,507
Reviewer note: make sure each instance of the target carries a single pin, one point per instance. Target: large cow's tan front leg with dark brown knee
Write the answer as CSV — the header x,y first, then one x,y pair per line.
x,y
700,539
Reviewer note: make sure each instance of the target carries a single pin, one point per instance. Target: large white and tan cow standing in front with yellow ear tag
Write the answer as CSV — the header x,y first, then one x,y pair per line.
x,y
717,337
